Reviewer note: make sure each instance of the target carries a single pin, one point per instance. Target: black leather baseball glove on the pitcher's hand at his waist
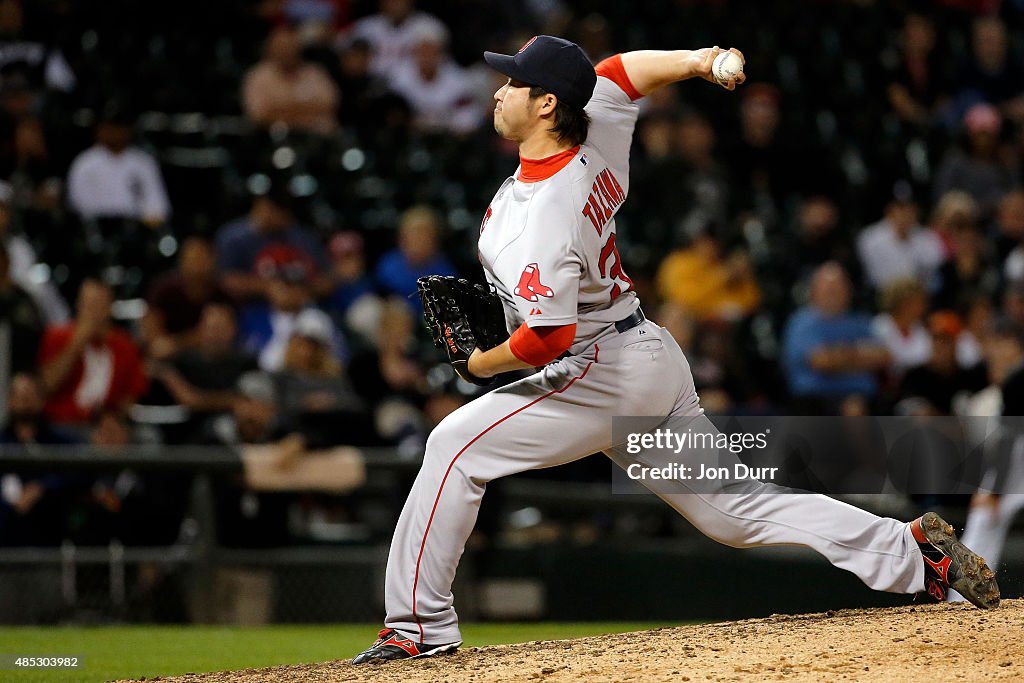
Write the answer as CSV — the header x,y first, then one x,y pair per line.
x,y
462,317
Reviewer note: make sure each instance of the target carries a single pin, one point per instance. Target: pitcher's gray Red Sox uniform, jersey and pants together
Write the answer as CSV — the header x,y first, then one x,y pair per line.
x,y
548,245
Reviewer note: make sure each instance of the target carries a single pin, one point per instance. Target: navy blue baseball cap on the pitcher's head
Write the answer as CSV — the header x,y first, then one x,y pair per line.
x,y
557,65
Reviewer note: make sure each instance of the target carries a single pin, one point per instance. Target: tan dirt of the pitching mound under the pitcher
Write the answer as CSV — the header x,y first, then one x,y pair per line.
x,y
922,644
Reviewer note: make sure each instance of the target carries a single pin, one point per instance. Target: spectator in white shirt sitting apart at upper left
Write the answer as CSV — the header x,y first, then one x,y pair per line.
x,y
114,179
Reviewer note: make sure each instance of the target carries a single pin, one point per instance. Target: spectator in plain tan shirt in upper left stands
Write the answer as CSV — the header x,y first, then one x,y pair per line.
x,y
284,89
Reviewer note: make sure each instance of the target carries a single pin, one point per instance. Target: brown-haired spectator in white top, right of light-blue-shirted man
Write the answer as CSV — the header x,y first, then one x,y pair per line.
x,y
901,325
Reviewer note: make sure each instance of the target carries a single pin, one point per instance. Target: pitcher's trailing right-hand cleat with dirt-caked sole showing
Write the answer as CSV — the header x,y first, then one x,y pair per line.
x,y
949,564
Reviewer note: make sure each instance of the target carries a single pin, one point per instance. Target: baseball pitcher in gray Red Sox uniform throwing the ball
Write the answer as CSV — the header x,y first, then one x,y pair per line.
x,y
548,247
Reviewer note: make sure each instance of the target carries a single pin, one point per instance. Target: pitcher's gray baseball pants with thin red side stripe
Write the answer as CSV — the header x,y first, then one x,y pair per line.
x,y
564,413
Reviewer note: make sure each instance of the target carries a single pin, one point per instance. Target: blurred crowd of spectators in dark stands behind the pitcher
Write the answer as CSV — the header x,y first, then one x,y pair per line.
x,y
212,218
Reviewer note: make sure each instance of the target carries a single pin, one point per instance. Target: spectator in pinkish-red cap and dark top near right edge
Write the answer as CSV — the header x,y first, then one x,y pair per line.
x,y
978,167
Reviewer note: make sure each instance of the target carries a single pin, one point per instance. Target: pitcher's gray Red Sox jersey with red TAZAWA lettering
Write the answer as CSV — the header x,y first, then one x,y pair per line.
x,y
548,238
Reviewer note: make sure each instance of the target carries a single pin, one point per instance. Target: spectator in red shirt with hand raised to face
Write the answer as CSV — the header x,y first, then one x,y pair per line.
x,y
89,366
